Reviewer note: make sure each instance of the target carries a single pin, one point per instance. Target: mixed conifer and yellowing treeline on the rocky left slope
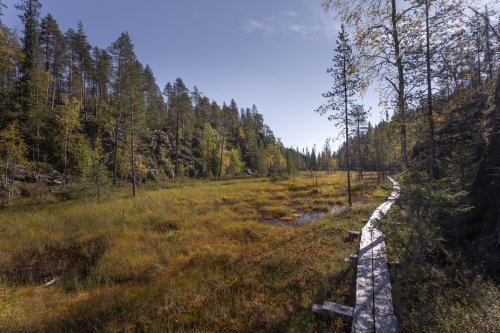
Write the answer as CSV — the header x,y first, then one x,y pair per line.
x,y
97,114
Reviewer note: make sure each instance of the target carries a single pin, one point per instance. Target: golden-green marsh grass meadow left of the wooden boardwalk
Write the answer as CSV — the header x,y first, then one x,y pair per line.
x,y
196,256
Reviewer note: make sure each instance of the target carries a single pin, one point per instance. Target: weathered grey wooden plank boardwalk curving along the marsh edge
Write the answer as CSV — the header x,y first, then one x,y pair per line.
x,y
373,311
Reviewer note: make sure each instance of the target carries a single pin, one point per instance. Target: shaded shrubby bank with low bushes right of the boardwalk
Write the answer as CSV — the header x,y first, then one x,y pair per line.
x,y
445,282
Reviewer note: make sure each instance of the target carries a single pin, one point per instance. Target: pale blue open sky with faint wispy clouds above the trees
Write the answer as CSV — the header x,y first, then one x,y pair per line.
x,y
271,53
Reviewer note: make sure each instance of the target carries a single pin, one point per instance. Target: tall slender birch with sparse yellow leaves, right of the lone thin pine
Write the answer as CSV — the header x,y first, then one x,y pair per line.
x,y
383,34
